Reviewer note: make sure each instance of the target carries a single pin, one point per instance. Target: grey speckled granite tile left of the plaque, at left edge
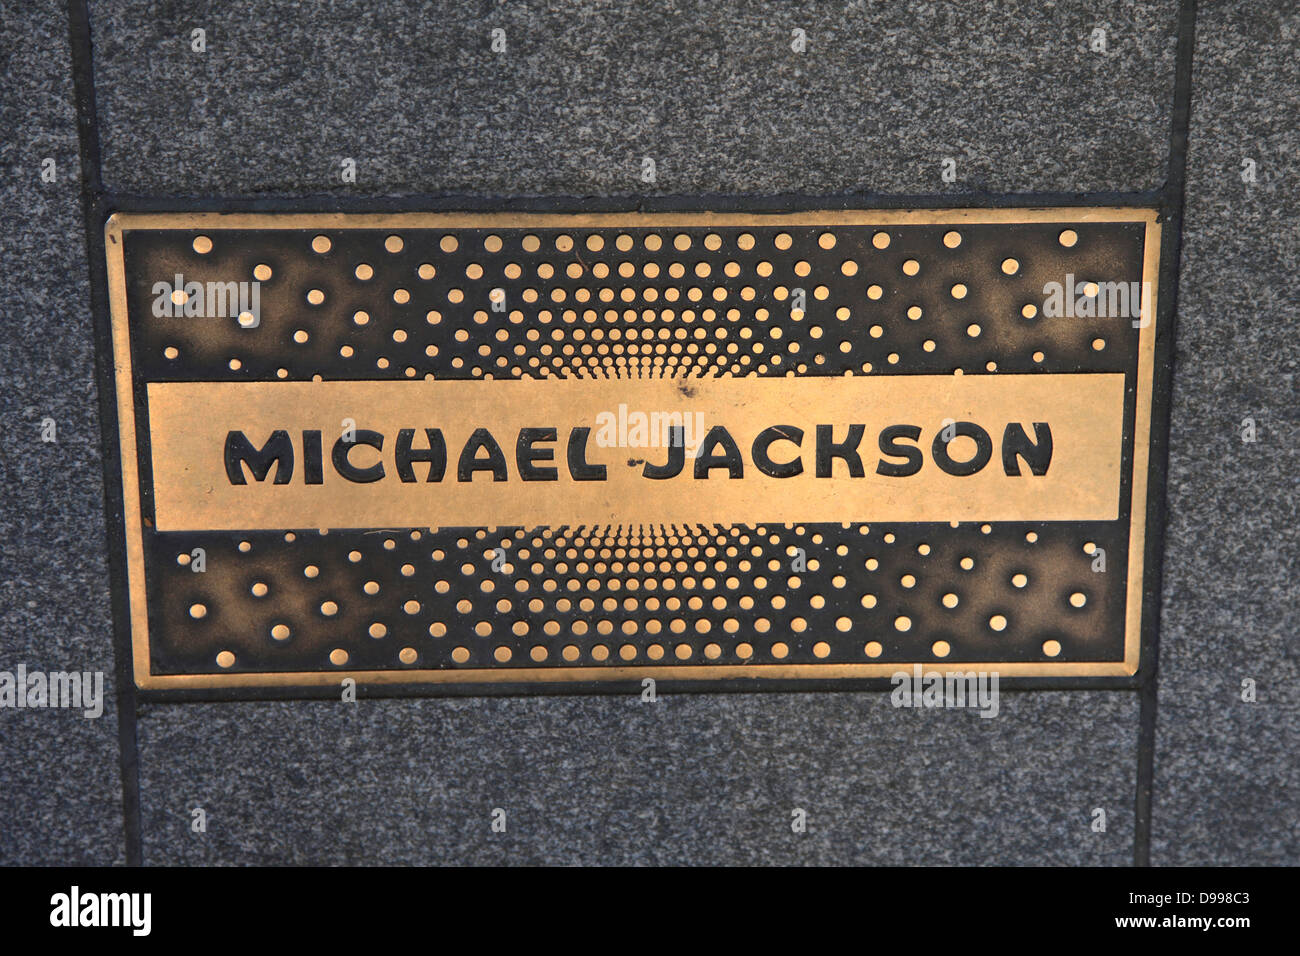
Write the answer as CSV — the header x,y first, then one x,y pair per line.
x,y
59,772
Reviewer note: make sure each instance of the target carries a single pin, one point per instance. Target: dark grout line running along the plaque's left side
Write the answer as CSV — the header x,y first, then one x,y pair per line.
x,y
92,198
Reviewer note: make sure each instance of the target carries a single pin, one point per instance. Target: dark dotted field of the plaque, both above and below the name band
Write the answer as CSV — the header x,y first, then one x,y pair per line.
x,y
609,304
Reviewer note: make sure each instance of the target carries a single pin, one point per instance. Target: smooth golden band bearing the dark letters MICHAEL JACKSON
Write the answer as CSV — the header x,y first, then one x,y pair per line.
x,y
365,455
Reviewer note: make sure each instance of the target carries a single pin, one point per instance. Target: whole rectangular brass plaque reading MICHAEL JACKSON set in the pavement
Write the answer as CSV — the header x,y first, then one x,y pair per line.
x,y
549,449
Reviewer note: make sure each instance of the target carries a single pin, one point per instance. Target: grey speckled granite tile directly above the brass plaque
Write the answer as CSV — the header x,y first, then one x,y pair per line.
x,y
712,90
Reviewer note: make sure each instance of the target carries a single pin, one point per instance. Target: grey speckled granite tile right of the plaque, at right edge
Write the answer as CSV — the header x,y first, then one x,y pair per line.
x,y
1228,780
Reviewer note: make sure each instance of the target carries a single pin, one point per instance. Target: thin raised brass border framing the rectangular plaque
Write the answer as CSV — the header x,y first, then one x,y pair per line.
x,y
1143,537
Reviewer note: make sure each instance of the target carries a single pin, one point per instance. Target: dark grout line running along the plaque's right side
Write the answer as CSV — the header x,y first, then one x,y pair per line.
x,y
1176,189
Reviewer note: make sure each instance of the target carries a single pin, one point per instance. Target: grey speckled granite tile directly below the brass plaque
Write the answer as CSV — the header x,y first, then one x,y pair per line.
x,y
690,780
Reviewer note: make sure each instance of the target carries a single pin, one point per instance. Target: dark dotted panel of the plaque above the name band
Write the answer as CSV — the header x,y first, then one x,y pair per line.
x,y
666,302
